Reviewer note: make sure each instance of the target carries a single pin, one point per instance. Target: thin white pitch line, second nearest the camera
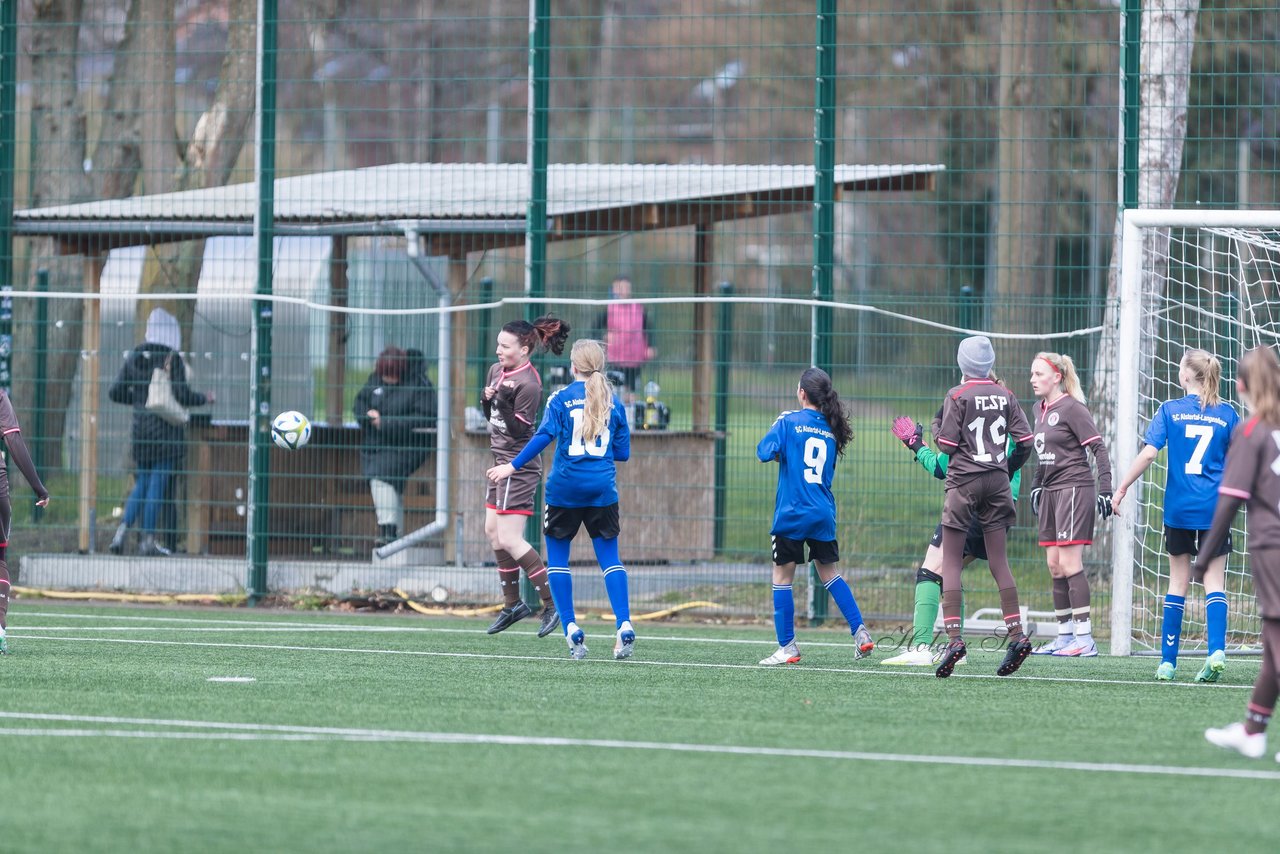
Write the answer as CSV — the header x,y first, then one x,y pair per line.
x,y
633,663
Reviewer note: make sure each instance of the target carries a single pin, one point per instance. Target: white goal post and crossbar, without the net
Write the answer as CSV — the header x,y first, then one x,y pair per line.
x,y
1128,354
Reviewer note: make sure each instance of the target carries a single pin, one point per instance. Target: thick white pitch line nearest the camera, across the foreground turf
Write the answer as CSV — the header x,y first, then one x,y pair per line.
x,y
268,732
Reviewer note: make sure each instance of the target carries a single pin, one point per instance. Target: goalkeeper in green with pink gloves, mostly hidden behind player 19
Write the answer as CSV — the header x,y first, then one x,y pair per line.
x,y
929,582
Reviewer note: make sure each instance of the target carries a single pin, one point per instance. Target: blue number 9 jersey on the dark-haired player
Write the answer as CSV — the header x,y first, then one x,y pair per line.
x,y
806,450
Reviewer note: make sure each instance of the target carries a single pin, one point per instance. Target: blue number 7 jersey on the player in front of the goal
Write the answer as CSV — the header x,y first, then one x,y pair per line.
x,y
1197,458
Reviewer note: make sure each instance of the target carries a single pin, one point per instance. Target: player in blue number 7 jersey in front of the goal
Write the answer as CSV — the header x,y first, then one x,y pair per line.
x,y
1197,428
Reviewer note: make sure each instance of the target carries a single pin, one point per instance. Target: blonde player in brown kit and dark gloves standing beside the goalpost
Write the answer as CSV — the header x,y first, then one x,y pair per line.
x,y
1064,497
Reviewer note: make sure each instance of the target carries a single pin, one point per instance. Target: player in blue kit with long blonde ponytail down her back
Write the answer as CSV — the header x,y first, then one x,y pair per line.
x,y
589,427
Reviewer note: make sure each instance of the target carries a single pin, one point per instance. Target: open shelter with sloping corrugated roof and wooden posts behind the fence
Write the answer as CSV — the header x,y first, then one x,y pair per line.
x,y
442,211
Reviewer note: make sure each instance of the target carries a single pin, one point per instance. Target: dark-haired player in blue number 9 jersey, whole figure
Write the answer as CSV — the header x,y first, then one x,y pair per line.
x,y
806,444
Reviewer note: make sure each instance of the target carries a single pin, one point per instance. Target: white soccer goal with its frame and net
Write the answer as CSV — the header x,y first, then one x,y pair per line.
x,y
1188,278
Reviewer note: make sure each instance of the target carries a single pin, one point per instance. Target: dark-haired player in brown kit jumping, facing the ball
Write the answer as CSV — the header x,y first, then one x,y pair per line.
x,y
511,399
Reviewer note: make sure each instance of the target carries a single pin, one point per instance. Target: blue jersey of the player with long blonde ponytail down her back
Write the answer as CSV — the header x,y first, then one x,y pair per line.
x,y
583,474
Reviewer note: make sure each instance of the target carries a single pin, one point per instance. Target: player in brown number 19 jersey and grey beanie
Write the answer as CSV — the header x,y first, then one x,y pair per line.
x,y
979,419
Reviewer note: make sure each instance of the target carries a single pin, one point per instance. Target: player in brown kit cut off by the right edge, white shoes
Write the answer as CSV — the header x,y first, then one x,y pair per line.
x,y
1252,477
